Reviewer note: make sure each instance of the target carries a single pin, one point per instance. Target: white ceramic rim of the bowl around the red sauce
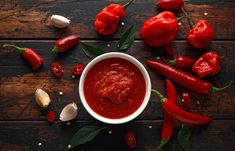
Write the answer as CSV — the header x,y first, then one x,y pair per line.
x,y
128,58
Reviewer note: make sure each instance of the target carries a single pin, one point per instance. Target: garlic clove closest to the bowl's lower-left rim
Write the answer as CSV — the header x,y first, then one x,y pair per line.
x,y
69,112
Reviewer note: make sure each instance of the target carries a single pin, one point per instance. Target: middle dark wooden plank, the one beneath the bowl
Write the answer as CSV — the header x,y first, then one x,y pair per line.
x,y
18,82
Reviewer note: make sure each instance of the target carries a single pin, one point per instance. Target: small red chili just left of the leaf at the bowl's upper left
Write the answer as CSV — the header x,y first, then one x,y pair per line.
x,y
65,43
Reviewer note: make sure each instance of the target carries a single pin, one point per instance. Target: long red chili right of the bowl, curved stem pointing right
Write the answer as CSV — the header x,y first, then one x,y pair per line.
x,y
184,79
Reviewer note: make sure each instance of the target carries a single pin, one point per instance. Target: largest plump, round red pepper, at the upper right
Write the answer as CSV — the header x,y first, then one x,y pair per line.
x,y
160,30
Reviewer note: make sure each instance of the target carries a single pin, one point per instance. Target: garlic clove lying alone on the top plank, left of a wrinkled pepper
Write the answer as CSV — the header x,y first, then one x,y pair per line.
x,y
60,21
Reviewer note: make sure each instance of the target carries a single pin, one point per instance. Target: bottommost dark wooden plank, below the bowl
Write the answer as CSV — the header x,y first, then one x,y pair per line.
x,y
217,136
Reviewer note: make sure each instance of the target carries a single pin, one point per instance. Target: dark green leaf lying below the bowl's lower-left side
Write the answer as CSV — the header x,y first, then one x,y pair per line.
x,y
84,135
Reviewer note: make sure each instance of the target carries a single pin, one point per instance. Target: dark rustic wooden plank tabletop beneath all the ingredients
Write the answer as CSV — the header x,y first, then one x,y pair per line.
x,y
26,23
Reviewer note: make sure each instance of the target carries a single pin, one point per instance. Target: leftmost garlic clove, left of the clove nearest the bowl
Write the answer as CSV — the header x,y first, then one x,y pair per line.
x,y
42,98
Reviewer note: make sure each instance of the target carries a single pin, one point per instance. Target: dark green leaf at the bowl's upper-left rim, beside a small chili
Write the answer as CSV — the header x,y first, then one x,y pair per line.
x,y
91,51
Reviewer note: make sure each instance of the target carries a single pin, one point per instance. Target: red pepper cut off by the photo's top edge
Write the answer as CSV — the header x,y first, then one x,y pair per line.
x,y
170,4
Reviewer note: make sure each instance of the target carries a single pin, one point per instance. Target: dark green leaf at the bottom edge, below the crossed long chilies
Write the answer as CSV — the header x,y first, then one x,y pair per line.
x,y
183,137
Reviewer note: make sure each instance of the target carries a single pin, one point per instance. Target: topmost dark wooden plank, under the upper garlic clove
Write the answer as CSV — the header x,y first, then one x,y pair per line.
x,y
30,19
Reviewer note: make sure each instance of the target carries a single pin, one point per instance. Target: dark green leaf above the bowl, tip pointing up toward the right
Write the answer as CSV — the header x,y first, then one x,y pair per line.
x,y
127,39
